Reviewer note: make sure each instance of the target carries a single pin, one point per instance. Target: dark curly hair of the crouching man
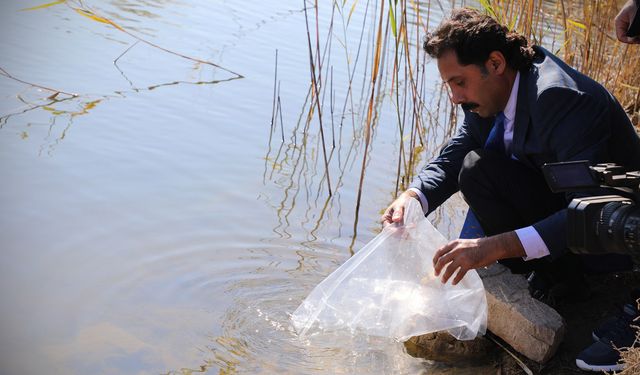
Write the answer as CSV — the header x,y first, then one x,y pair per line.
x,y
473,36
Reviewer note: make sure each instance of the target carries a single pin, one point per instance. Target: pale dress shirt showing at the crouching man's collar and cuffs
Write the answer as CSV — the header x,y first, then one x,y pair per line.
x,y
531,241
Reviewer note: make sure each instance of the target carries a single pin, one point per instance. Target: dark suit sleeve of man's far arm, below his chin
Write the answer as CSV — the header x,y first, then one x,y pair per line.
x,y
438,180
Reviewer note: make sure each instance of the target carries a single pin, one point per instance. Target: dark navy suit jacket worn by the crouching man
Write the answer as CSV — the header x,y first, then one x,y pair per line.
x,y
561,115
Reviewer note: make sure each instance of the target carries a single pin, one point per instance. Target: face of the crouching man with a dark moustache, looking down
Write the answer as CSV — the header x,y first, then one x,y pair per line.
x,y
475,89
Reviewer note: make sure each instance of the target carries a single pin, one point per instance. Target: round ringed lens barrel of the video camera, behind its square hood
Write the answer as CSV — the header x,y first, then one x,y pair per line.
x,y
619,227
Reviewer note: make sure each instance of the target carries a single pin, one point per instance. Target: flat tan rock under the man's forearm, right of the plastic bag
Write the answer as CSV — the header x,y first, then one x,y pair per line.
x,y
531,327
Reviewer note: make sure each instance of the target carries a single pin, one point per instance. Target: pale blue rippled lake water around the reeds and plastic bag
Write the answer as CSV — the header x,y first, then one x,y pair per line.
x,y
157,222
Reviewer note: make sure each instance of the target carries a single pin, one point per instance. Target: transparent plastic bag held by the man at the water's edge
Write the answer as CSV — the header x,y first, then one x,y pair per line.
x,y
389,289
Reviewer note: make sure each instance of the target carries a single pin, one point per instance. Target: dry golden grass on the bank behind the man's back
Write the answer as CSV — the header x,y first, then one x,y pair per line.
x,y
582,34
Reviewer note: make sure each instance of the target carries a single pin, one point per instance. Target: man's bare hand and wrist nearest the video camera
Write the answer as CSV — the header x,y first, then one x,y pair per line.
x,y
466,254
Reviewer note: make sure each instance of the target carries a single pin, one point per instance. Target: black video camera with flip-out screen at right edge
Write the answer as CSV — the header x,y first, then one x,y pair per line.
x,y
599,224
